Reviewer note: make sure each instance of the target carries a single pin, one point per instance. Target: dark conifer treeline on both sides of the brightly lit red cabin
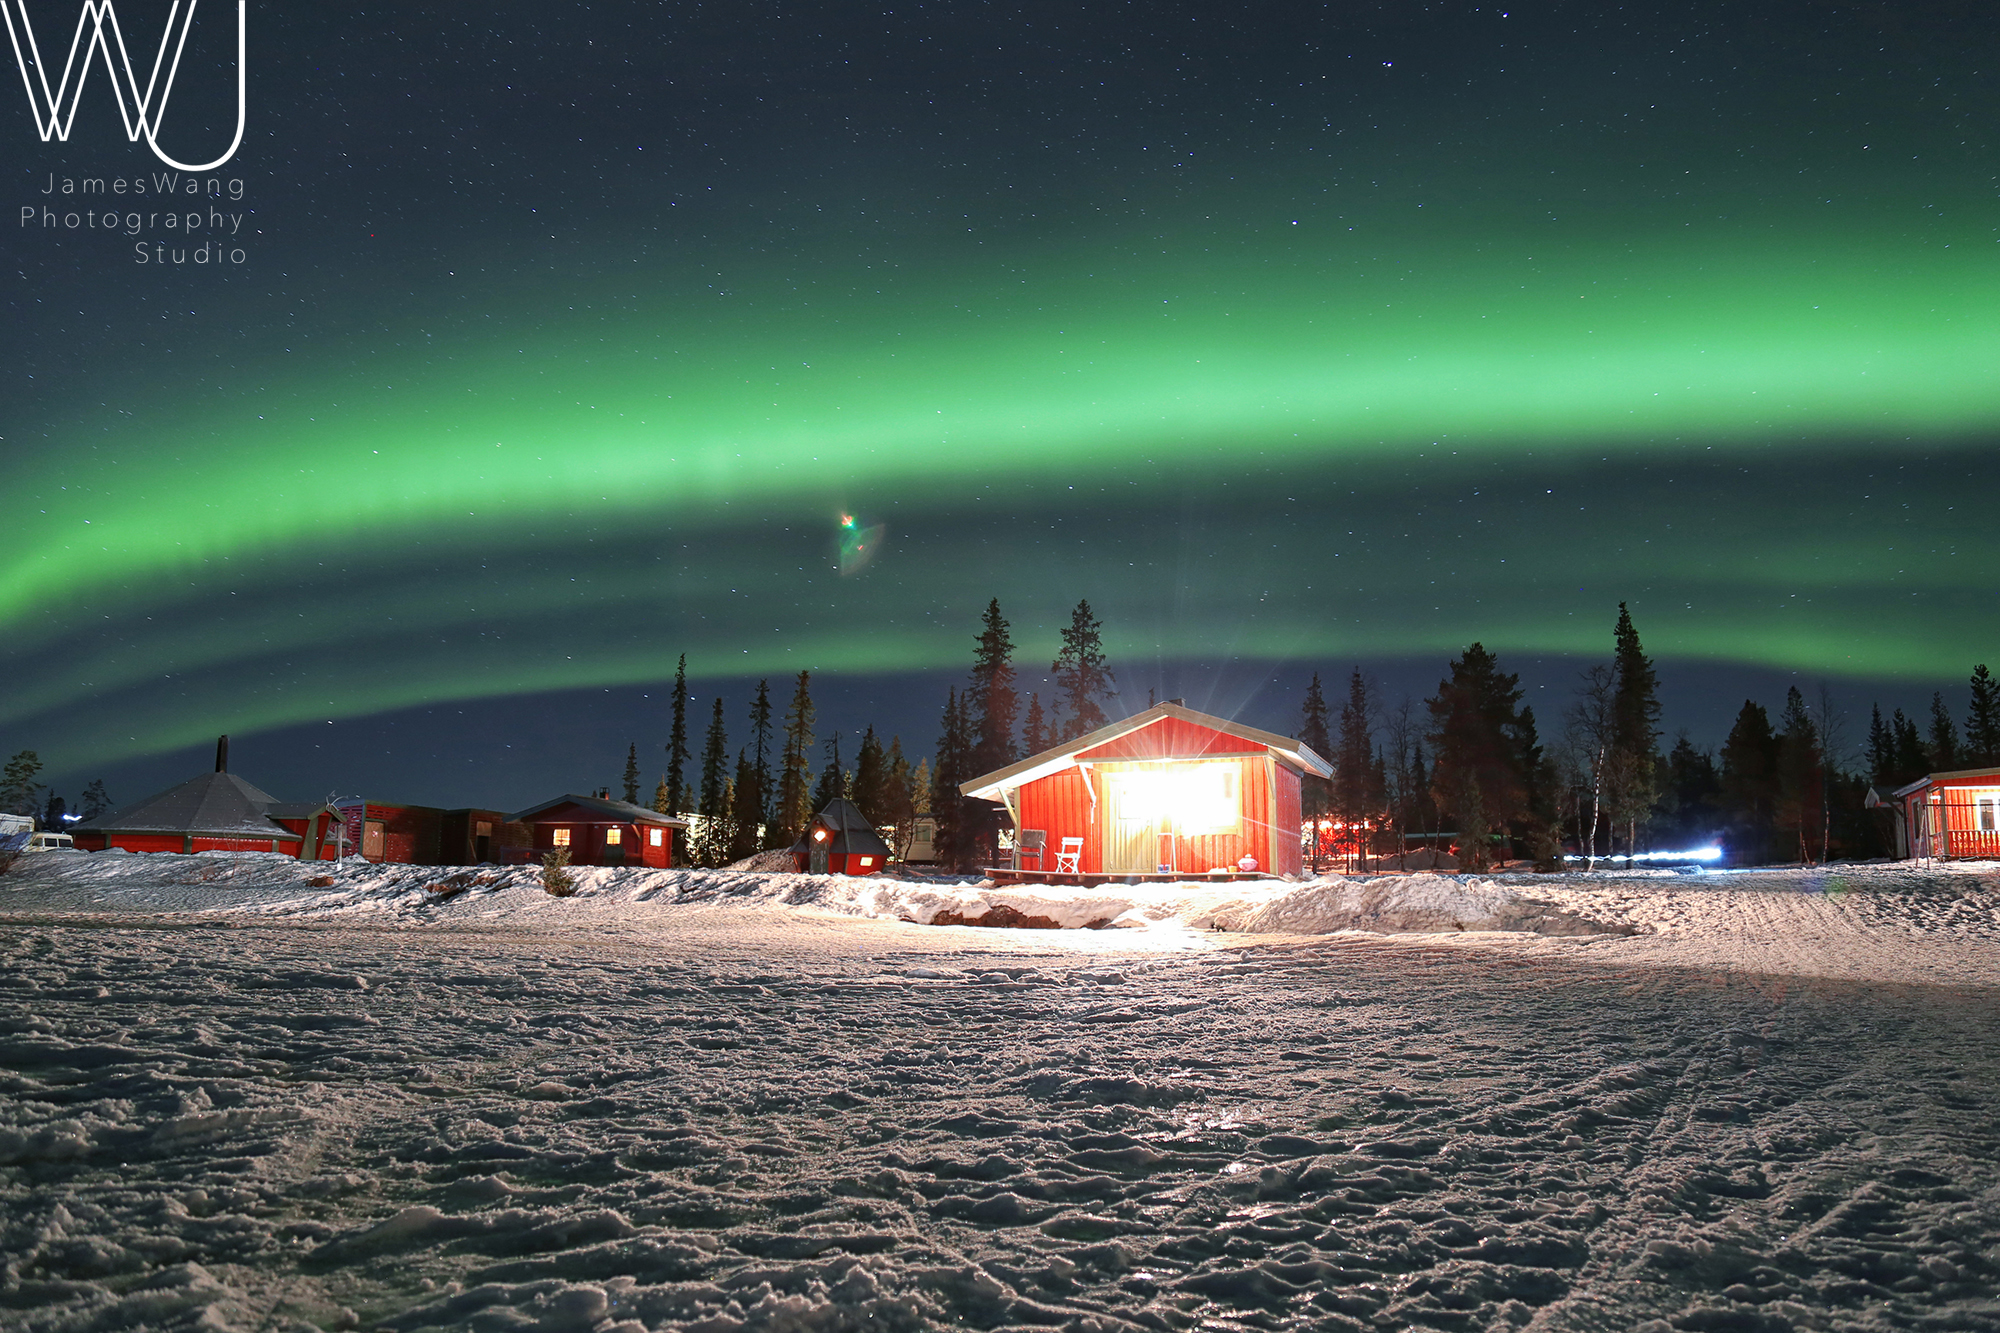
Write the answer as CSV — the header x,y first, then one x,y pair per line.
x,y
1469,774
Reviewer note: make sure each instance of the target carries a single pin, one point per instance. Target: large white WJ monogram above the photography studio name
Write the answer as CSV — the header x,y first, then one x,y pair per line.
x,y
55,111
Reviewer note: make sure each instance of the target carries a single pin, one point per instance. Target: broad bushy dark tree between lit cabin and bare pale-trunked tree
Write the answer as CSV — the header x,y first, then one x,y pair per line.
x,y
1477,776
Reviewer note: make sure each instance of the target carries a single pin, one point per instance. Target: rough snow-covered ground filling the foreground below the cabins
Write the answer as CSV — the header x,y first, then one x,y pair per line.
x,y
775,1102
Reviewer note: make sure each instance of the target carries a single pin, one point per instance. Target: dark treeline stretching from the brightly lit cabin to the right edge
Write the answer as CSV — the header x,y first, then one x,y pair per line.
x,y
1493,786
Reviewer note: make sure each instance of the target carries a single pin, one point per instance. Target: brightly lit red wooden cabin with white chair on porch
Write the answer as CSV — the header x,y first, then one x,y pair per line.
x,y
1167,792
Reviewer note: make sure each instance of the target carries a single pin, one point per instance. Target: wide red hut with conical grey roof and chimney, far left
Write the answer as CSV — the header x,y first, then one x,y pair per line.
x,y
215,812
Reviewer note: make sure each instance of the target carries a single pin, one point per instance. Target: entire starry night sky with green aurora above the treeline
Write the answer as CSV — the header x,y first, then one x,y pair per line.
x,y
1293,337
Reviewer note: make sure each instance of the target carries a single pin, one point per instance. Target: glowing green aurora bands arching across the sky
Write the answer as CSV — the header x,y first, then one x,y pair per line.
x,y
1277,411
